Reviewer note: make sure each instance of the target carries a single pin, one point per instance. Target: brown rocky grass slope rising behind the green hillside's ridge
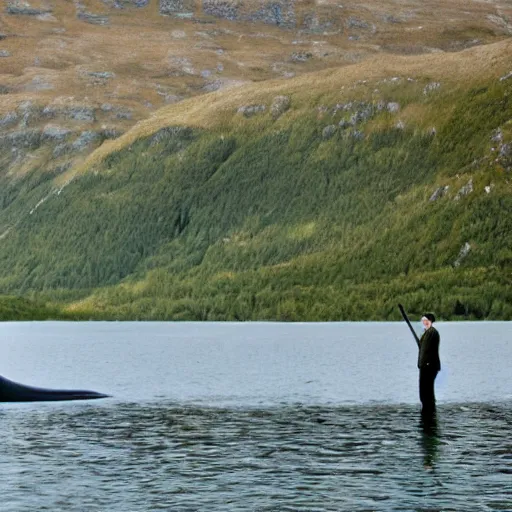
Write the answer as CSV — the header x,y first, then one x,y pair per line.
x,y
139,60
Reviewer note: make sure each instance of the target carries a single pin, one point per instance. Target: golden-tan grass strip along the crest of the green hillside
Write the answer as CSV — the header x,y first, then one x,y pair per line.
x,y
456,70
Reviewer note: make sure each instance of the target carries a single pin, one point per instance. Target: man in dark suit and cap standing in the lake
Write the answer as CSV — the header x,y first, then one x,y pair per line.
x,y
429,364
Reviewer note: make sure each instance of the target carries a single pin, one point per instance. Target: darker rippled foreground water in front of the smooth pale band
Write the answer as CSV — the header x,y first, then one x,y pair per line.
x,y
171,456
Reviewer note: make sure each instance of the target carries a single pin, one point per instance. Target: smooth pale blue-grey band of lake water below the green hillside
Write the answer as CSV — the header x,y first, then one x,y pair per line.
x,y
257,364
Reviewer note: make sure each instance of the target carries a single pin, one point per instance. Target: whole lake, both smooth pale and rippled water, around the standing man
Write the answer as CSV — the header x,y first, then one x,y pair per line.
x,y
255,417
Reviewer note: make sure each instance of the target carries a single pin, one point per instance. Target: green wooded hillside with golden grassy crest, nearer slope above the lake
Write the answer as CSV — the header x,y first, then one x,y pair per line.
x,y
317,205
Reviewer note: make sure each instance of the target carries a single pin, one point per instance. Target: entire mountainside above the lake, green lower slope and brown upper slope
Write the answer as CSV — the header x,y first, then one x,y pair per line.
x,y
351,157
